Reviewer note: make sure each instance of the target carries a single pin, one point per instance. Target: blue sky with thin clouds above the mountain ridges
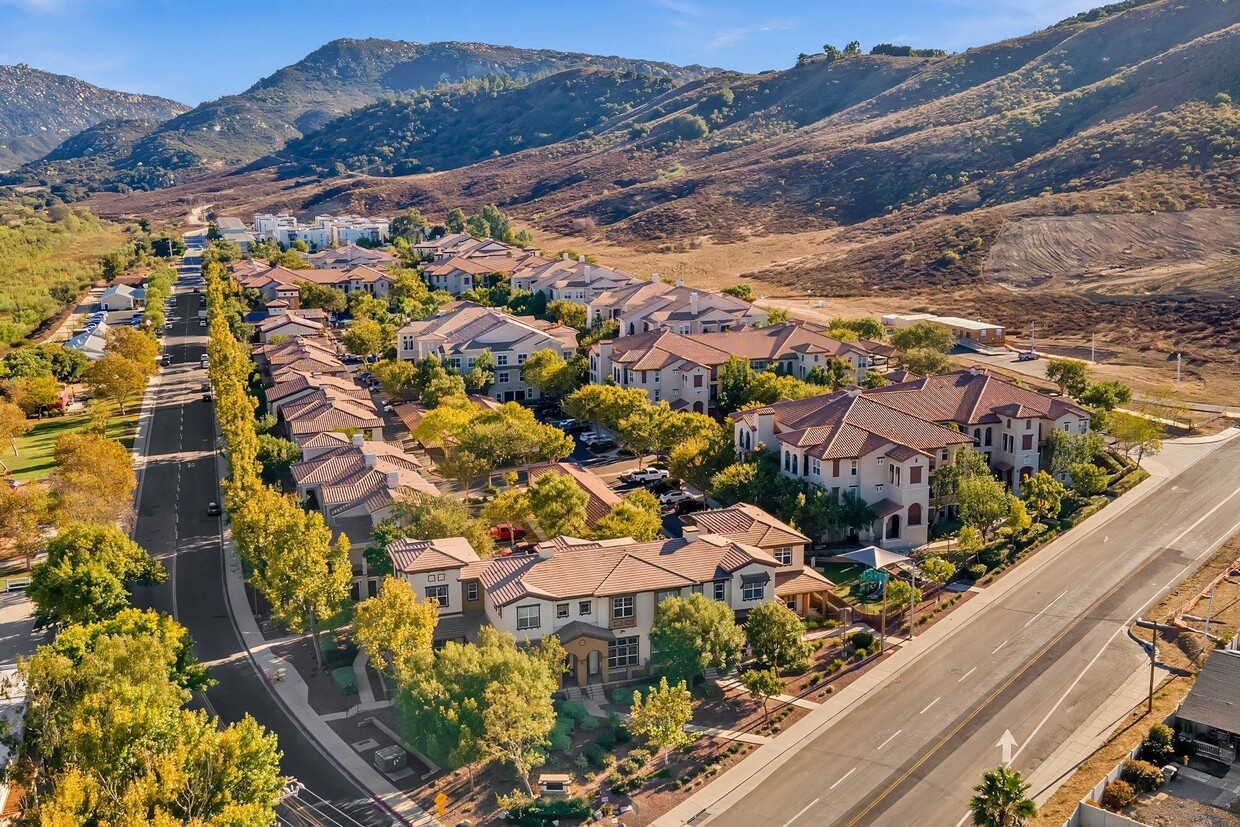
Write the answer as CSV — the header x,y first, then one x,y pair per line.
x,y
192,51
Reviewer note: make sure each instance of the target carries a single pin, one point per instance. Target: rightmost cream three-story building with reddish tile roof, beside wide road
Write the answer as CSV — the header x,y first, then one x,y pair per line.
x,y
1010,425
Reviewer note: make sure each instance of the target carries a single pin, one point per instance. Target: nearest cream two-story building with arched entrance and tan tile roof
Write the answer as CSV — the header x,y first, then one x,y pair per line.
x,y
598,597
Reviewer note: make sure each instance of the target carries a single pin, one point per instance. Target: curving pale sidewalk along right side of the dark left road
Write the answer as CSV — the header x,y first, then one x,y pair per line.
x,y
294,696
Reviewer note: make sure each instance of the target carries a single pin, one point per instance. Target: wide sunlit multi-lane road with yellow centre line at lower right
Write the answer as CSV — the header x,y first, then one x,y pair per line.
x,y
1038,663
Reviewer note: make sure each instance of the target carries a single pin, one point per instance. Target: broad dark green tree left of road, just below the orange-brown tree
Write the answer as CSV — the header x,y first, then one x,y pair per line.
x,y
87,575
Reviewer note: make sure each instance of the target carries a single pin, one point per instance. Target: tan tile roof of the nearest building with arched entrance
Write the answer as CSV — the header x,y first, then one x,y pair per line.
x,y
583,568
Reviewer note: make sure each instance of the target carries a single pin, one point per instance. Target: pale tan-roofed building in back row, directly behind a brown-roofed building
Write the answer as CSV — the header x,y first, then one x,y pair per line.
x,y
658,306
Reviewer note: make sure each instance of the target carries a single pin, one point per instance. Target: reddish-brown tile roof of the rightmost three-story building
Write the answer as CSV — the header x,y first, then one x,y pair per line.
x,y
970,397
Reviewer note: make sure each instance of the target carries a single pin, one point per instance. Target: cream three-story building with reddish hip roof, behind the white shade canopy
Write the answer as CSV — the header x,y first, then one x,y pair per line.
x,y
852,443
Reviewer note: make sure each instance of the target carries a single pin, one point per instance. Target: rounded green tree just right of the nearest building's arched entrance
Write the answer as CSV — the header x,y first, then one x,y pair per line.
x,y
695,634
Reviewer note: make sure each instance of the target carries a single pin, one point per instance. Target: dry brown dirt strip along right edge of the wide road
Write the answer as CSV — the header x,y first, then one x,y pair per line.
x,y
1181,654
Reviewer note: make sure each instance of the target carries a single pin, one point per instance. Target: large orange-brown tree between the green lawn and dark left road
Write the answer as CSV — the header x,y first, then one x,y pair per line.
x,y
94,480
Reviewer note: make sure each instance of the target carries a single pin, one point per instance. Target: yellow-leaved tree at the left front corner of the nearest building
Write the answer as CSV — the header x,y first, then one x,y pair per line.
x,y
396,629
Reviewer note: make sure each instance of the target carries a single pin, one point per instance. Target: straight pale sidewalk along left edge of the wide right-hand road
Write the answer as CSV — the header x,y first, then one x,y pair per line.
x,y
735,785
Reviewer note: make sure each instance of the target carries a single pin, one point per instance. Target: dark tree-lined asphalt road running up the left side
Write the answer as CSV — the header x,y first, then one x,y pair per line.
x,y
179,482
